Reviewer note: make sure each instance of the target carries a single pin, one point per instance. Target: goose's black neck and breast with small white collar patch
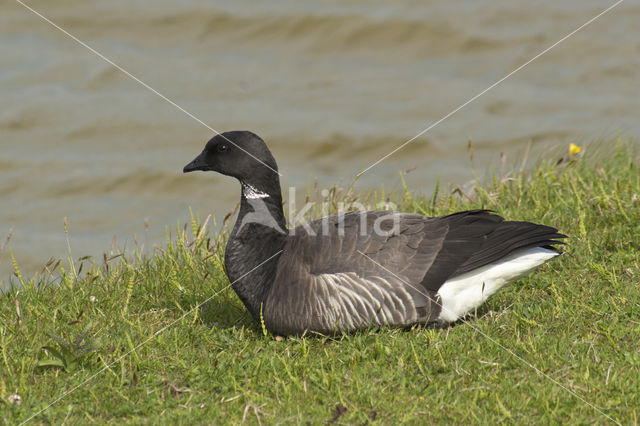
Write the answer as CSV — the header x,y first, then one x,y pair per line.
x,y
259,234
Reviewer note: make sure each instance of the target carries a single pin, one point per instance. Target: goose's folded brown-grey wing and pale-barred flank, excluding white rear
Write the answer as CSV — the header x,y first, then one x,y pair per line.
x,y
324,282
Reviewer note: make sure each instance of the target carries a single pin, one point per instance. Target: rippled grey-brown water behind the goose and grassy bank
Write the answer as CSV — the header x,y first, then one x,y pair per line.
x,y
331,88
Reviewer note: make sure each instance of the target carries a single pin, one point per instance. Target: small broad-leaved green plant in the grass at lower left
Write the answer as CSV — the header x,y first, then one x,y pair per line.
x,y
68,355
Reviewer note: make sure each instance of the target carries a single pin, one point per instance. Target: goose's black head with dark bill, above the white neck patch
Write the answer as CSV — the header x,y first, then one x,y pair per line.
x,y
240,153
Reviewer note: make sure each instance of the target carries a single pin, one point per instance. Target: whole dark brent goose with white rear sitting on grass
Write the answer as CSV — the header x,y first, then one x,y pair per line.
x,y
353,270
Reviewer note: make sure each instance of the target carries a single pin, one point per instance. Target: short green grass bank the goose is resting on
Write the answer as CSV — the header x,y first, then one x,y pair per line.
x,y
133,342
